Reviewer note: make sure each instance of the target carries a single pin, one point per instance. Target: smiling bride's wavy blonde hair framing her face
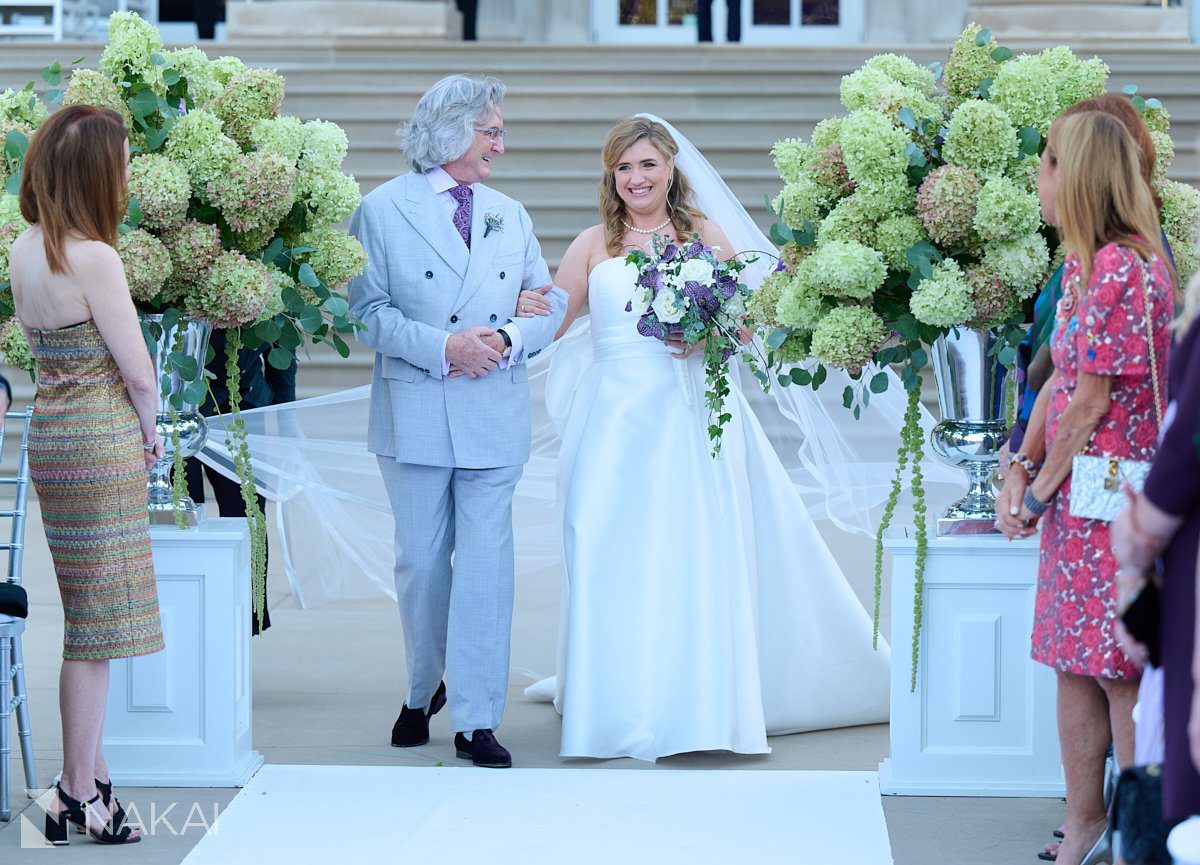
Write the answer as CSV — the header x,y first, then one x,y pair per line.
x,y
686,218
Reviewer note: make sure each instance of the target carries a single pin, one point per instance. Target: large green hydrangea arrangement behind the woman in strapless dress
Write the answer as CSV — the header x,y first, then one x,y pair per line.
x,y
232,207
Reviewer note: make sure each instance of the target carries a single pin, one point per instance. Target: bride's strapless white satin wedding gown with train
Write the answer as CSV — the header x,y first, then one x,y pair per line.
x,y
703,610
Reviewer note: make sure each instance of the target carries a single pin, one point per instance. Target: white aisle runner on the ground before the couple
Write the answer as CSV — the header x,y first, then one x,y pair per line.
x,y
331,815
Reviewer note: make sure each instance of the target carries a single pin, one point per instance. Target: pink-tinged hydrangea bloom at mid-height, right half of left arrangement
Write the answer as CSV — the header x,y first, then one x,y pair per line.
x,y
256,193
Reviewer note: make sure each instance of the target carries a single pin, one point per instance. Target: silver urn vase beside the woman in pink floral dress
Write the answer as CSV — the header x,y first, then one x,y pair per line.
x,y
971,393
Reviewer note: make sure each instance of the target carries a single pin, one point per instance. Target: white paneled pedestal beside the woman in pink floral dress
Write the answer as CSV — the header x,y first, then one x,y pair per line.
x,y
982,720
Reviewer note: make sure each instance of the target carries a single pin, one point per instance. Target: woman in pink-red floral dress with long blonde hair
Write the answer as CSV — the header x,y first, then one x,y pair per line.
x,y
1111,352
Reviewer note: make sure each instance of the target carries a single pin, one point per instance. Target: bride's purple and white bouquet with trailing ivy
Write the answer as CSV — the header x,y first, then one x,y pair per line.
x,y
686,292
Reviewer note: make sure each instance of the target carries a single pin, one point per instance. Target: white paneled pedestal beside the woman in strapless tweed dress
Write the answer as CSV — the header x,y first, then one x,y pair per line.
x,y
182,718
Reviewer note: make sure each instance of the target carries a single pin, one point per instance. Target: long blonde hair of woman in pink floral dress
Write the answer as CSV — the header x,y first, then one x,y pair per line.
x,y
1102,196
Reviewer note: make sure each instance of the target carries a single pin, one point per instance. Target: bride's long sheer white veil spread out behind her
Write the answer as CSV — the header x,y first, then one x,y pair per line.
x,y
332,512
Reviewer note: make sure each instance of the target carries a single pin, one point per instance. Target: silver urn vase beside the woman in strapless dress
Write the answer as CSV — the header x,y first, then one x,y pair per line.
x,y
188,422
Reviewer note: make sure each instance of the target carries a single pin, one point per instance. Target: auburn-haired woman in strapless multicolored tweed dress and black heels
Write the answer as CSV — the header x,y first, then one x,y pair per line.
x,y
92,437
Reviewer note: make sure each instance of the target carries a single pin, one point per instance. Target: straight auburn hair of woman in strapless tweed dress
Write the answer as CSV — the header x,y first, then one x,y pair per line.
x,y
74,181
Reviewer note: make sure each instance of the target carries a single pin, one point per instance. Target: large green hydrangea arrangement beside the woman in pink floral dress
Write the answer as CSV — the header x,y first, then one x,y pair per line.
x,y
917,213
